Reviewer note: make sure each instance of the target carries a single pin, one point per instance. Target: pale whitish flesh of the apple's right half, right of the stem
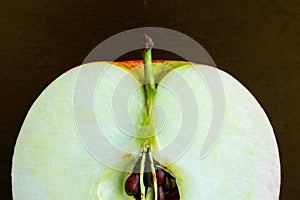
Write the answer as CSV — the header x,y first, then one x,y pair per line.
x,y
244,163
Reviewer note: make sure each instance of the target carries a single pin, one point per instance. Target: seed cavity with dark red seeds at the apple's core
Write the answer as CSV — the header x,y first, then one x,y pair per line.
x,y
158,183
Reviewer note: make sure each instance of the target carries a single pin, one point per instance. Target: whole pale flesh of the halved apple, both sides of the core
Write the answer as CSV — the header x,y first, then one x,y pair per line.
x,y
50,161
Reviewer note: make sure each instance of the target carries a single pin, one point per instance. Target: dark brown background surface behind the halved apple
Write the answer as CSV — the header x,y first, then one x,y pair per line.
x,y
256,41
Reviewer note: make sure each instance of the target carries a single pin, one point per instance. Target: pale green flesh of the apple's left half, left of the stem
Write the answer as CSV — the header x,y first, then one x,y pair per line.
x,y
50,161
